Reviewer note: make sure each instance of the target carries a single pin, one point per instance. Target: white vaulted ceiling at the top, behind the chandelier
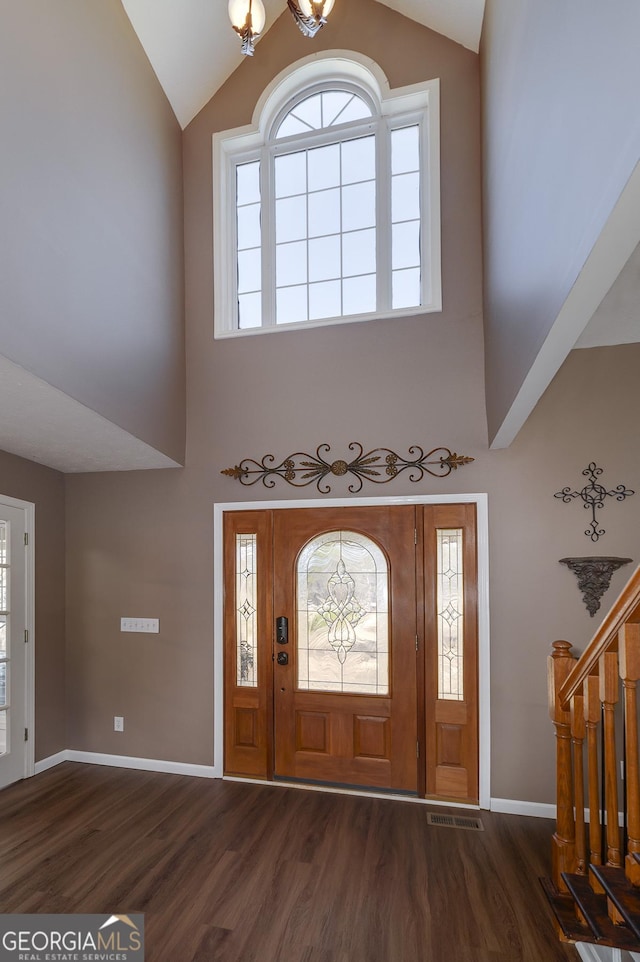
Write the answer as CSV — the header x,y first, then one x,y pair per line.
x,y
193,49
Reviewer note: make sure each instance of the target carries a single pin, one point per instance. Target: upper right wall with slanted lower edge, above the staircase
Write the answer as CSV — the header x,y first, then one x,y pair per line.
x,y
561,139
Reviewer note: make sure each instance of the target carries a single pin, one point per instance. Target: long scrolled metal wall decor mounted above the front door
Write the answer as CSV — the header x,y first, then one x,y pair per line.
x,y
379,465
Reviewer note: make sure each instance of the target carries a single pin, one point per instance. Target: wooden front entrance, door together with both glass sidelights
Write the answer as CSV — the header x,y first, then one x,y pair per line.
x,y
351,648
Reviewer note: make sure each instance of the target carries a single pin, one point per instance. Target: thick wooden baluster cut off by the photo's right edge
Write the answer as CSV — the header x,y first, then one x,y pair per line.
x,y
629,649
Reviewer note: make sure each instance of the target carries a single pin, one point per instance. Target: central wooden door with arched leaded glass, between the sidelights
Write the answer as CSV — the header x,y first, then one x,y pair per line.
x,y
339,735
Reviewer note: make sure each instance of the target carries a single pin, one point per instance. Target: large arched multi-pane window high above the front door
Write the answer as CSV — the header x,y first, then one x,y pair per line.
x,y
328,210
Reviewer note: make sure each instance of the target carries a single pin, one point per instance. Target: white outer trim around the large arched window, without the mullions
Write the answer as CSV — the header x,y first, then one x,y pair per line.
x,y
316,71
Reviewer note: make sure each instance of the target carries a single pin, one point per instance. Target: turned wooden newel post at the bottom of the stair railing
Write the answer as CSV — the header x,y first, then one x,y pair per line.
x,y
563,846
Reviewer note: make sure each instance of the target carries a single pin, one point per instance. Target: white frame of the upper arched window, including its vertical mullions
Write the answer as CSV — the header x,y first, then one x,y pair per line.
x,y
399,107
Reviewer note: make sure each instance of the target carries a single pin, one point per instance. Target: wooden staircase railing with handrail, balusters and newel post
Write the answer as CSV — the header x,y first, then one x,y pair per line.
x,y
584,694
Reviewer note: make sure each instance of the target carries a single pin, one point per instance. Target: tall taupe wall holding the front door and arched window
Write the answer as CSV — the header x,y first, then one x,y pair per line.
x,y
141,544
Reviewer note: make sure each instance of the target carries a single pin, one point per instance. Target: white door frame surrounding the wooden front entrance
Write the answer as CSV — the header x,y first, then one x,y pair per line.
x,y
484,687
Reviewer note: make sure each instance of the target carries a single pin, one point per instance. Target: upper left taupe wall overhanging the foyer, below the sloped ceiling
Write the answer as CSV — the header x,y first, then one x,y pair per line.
x,y
91,244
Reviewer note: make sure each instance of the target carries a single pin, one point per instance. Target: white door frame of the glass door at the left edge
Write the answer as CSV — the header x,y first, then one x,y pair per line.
x,y
29,510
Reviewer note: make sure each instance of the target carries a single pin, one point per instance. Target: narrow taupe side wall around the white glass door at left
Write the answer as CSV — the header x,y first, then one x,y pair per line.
x,y
45,488
